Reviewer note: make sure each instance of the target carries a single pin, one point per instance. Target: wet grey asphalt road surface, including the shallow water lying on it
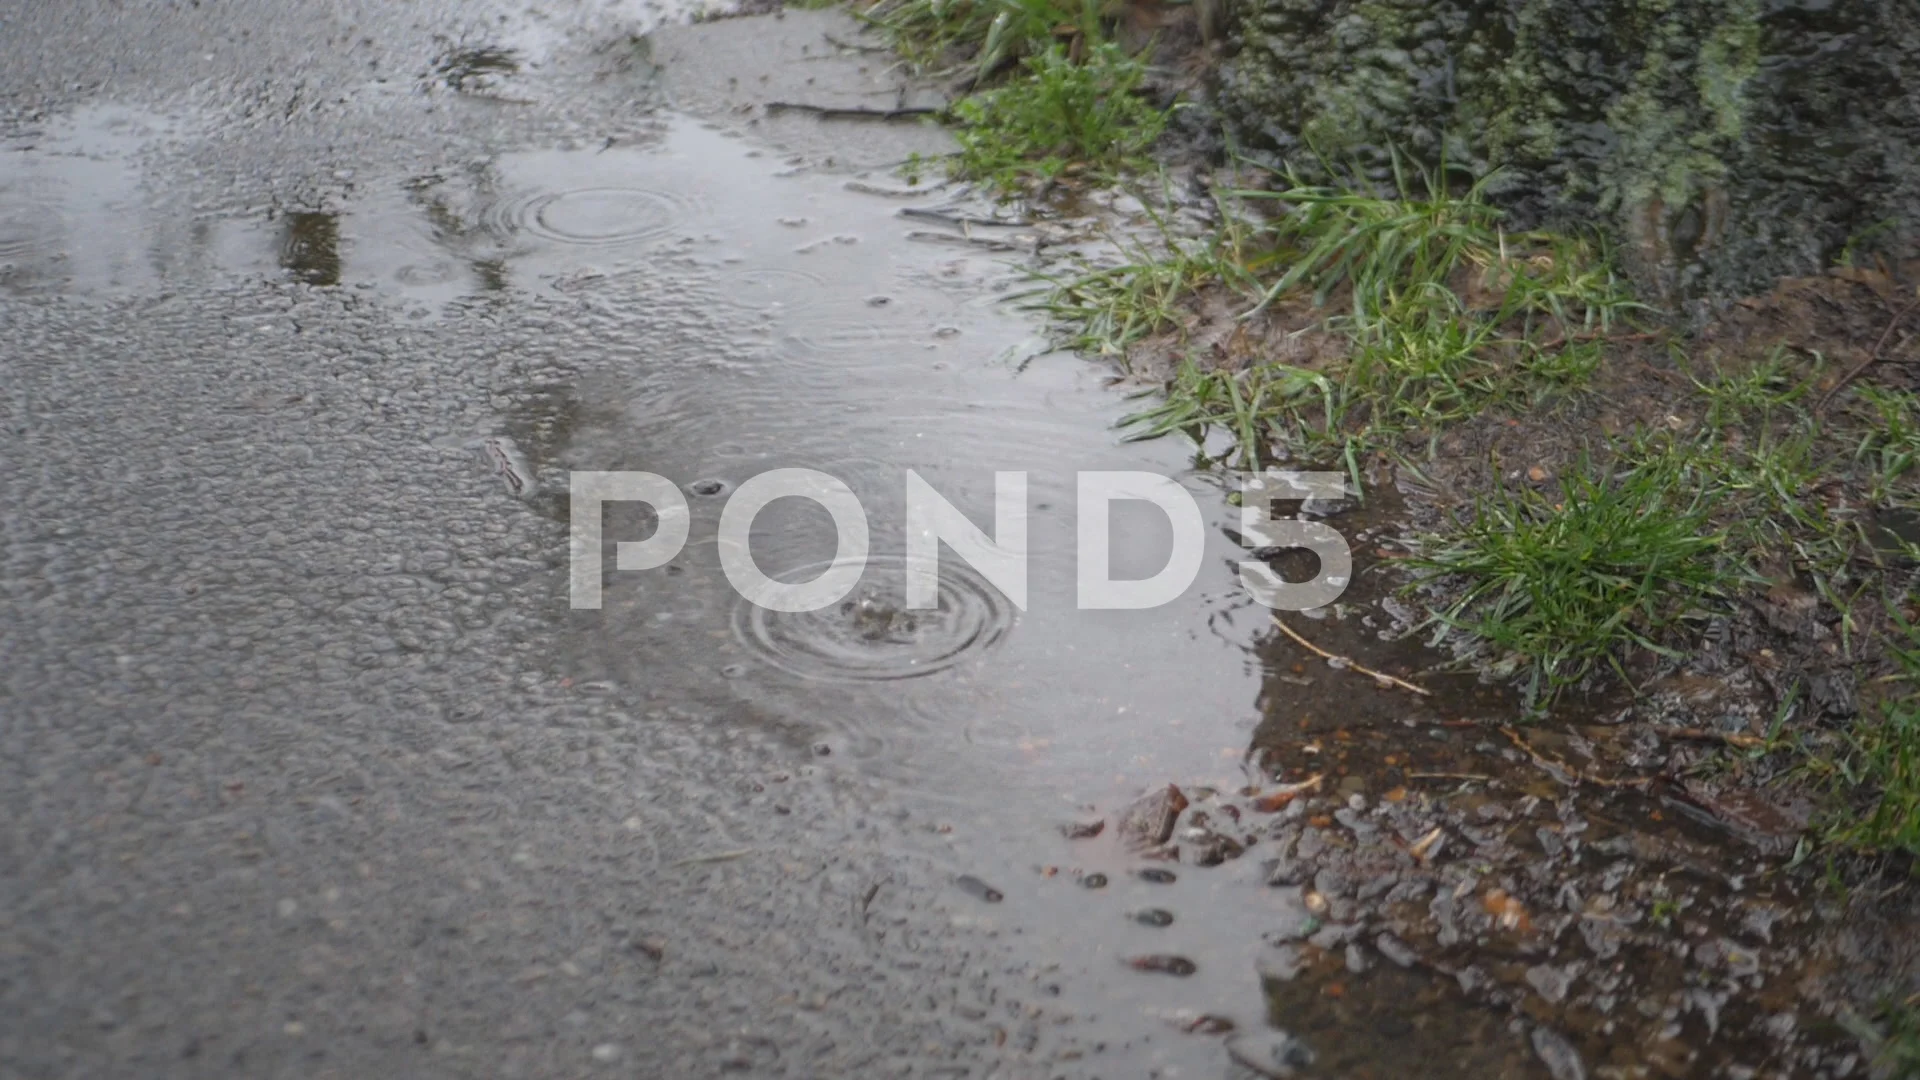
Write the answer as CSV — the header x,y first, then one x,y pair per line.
x,y
306,770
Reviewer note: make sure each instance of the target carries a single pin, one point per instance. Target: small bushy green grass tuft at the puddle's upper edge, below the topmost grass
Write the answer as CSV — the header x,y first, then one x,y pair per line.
x,y
1055,116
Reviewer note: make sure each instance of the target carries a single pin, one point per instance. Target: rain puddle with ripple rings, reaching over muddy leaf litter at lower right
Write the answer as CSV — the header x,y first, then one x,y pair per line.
x,y
1345,879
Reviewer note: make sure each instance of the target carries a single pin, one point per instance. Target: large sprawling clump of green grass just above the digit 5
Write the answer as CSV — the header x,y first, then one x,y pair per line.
x,y
1447,316
